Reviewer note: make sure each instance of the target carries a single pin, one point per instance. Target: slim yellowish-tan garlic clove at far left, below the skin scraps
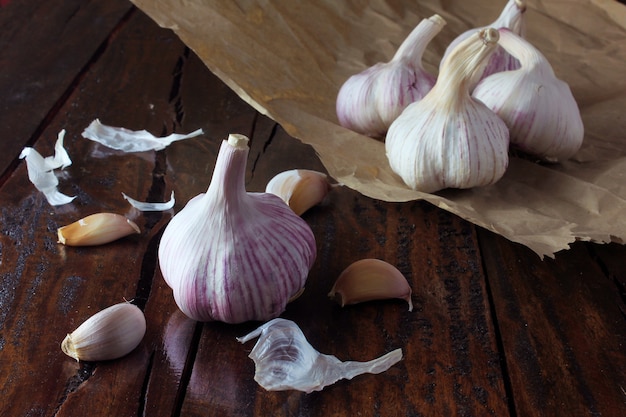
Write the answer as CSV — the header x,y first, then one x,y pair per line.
x,y
97,229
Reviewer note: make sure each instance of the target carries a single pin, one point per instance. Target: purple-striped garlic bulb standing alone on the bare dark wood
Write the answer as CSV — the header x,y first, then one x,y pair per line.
x,y
234,256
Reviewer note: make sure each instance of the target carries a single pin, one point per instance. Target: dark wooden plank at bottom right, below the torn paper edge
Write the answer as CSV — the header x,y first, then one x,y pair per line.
x,y
563,330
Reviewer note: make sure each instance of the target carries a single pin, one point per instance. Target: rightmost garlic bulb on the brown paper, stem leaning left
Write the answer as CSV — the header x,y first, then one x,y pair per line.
x,y
538,108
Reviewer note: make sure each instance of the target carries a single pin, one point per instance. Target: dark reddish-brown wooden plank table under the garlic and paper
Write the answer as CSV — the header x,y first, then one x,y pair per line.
x,y
495,330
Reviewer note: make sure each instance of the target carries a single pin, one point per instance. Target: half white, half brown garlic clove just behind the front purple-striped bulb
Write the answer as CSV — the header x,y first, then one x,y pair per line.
x,y
301,189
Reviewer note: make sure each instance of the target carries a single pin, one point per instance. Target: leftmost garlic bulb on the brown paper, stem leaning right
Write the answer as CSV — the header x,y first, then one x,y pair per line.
x,y
369,101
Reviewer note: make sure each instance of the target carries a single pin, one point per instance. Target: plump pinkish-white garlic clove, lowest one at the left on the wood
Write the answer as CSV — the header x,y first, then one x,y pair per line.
x,y
108,334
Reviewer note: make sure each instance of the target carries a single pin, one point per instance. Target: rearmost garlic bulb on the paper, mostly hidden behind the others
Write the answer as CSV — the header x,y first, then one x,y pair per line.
x,y
511,17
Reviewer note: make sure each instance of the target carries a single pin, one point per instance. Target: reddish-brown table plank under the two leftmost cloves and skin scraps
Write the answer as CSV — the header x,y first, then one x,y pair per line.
x,y
53,288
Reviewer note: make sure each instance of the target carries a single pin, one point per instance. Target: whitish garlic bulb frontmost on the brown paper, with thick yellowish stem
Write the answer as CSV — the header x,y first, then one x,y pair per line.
x,y
448,139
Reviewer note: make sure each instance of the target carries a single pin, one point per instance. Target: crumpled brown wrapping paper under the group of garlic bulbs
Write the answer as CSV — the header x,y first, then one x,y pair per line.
x,y
288,59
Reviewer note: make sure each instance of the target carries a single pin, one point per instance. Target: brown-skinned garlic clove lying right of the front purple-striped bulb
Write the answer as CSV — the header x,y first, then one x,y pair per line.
x,y
370,279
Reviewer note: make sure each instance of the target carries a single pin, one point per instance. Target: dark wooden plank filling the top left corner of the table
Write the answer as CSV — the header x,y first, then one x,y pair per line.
x,y
45,46
